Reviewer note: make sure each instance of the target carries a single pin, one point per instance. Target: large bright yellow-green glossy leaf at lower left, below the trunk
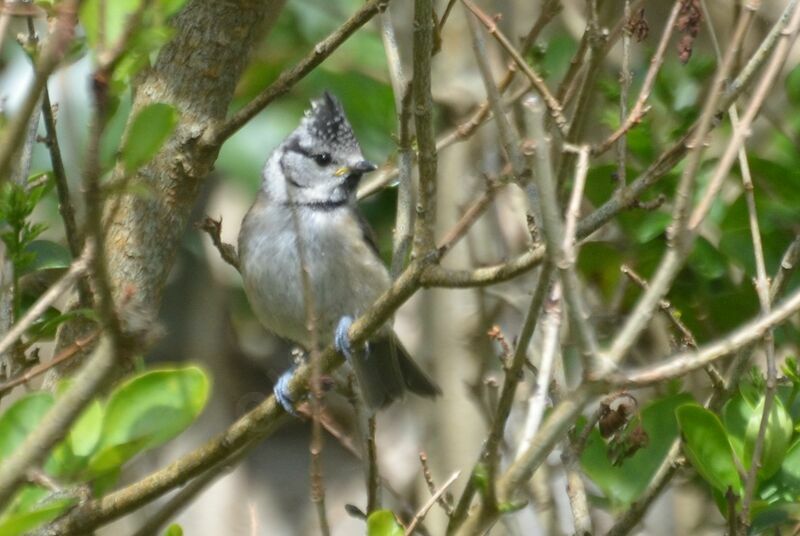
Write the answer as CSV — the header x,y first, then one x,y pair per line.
x,y
148,410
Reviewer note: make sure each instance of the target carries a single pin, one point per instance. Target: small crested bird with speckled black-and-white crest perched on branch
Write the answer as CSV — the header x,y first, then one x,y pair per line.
x,y
306,206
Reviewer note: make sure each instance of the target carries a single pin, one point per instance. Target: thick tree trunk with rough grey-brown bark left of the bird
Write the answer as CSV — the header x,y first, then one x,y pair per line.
x,y
197,73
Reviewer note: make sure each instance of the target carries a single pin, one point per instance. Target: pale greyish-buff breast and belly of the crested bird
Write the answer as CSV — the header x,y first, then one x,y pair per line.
x,y
344,276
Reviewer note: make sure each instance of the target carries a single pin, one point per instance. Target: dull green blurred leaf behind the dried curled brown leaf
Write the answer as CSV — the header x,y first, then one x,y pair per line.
x,y
624,484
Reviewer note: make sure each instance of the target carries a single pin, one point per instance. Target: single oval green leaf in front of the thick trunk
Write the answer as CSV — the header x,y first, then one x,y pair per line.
x,y
150,129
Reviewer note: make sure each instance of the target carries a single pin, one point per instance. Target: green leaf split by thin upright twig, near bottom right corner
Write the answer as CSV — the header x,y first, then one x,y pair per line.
x,y
776,437
